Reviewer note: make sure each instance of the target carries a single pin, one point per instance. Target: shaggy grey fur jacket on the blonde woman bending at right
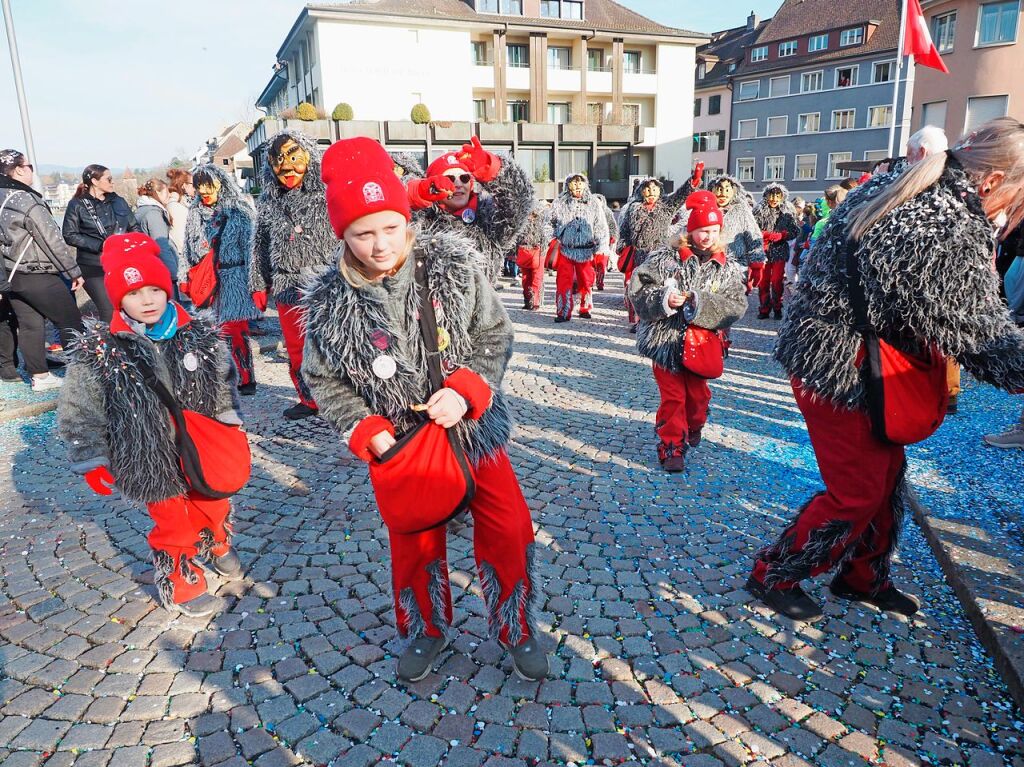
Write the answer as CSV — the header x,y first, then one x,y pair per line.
x,y
927,270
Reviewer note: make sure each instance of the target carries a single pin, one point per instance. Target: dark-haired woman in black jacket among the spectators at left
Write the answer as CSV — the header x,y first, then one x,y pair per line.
x,y
94,215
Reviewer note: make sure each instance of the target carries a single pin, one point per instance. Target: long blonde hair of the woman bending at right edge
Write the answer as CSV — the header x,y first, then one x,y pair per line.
x,y
997,146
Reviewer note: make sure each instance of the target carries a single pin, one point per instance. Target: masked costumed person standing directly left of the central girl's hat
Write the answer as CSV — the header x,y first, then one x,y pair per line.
x,y
293,243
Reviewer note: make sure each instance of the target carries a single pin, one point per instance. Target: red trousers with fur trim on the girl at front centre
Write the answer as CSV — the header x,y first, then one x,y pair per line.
x,y
503,543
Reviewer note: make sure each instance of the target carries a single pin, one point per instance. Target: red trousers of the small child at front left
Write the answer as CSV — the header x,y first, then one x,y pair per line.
x,y
184,528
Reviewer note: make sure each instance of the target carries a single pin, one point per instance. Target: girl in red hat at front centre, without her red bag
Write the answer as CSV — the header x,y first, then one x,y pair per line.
x,y
365,387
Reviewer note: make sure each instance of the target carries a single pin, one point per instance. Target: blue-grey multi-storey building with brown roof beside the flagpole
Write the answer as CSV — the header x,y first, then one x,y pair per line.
x,y
817,90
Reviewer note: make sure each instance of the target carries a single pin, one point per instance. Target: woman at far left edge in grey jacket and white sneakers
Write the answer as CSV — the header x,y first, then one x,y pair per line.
x,y
38,268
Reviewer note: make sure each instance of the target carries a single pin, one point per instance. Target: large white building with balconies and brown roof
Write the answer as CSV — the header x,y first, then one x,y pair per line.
x,y
566,86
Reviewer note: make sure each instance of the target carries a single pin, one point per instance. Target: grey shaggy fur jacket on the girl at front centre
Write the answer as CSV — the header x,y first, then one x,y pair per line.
x,y
349,328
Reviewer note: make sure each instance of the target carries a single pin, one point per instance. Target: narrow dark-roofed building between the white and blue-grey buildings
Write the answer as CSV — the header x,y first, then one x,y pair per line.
x,y
717,62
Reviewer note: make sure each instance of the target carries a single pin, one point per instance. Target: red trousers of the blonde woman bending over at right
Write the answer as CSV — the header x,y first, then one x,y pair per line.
x,y
855,524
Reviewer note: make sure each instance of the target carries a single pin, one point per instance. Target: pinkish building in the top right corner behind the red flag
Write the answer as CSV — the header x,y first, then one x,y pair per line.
x,y
980,46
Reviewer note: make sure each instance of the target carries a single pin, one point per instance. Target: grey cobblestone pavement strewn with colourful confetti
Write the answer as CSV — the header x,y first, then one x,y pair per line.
x,y
660,657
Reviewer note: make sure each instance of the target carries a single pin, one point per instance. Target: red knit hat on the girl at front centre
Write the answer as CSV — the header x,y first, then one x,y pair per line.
x,y
360,179
